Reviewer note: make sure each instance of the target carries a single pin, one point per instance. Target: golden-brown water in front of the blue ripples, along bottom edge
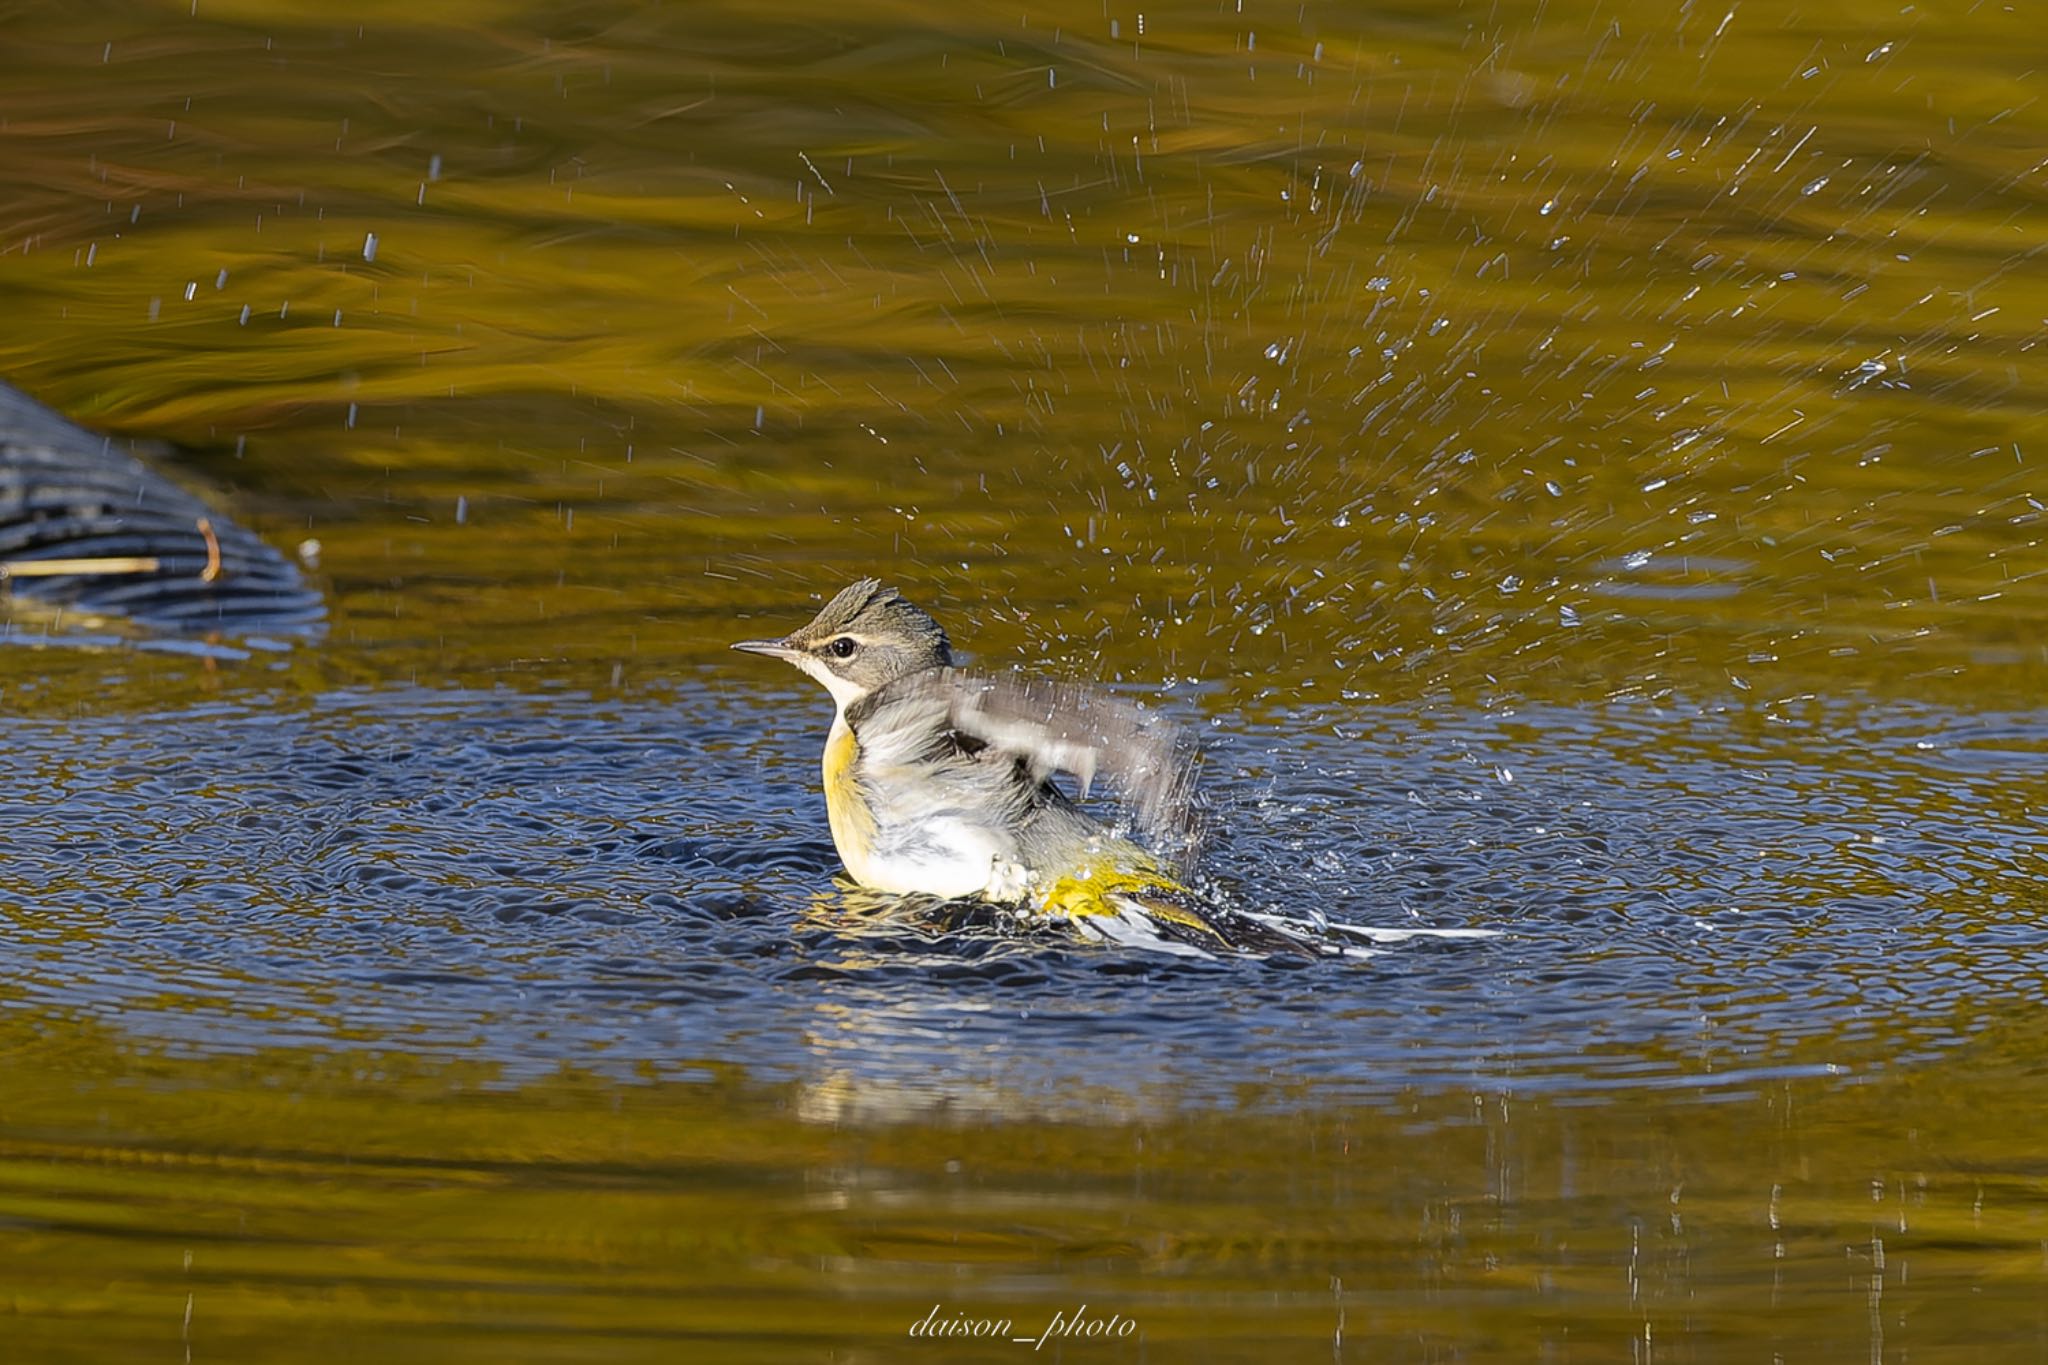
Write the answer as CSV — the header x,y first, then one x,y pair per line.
x,y
327,1204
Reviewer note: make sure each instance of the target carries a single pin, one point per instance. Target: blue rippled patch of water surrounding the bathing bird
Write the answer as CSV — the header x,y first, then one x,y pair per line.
x,y
1701,897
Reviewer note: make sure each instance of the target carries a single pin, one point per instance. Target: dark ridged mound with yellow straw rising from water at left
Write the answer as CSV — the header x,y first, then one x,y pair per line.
x,y
87,525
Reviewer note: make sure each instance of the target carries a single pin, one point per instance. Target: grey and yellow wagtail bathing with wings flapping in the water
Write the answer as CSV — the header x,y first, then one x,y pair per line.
x,y
943,783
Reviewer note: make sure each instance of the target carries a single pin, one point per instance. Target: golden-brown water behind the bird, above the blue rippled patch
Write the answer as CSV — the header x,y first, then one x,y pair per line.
x,y
1297,341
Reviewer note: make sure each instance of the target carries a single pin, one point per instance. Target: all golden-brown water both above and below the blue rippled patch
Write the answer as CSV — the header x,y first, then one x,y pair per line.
x,y
1304,357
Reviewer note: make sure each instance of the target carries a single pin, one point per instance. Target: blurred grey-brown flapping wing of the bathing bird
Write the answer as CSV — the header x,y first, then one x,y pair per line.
x,y
1144,758
